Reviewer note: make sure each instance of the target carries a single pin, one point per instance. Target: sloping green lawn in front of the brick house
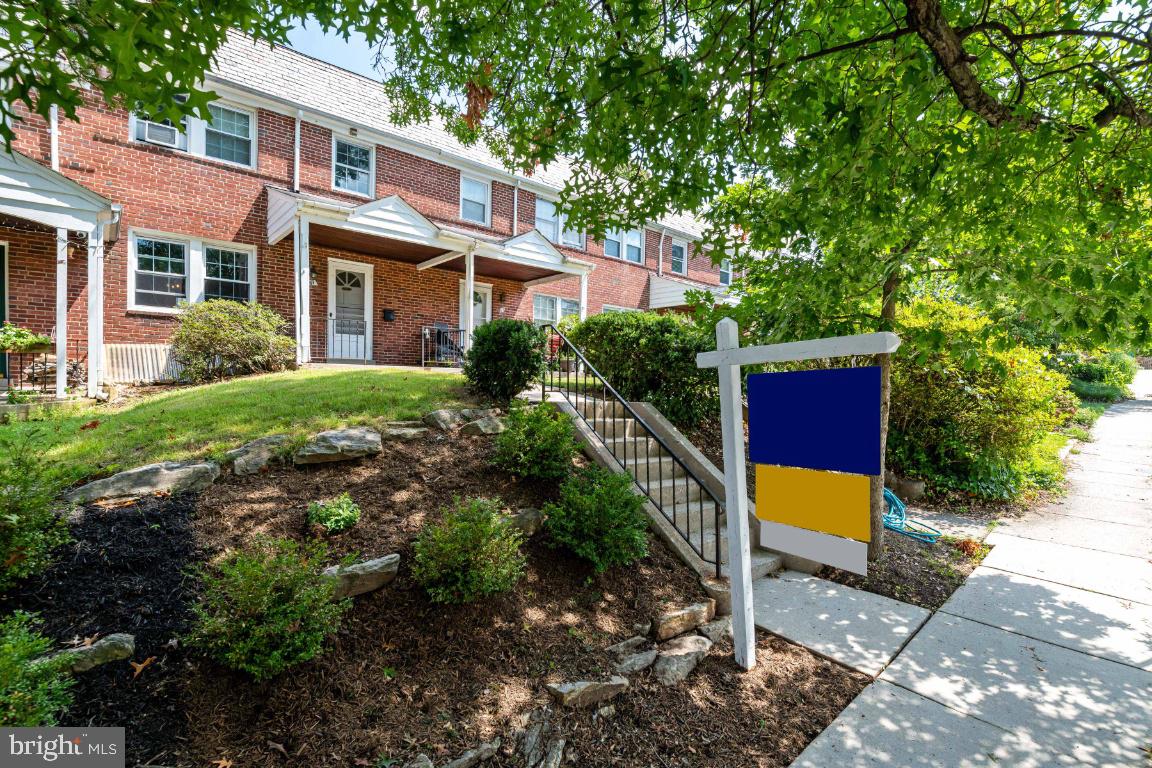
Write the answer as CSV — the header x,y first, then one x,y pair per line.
x,y
208,421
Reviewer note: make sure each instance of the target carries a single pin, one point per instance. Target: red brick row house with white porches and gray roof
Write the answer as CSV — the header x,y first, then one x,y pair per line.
x,y
376,242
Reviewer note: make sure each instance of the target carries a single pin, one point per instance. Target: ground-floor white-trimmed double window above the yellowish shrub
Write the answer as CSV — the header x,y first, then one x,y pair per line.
x,y
168,270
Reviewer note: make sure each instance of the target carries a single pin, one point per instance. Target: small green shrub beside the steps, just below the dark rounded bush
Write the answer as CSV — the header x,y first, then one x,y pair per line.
x,y
537,444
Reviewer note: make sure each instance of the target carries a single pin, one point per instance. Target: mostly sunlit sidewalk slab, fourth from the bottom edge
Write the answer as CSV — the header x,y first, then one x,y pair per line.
x,y
1120,576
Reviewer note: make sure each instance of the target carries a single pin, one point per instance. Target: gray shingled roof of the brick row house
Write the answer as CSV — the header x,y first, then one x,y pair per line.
x,y
316,86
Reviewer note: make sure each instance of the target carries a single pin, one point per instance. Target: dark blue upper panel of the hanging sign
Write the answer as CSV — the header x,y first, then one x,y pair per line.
x,y
827,420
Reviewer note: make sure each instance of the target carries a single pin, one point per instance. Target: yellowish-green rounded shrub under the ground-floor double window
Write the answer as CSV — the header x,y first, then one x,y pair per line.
x,y
223,338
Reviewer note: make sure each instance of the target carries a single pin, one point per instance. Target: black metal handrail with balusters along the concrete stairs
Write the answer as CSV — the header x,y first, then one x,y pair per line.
x,y
560,374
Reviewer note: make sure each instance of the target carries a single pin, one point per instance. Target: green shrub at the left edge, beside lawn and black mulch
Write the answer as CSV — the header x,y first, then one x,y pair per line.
x,y
31,528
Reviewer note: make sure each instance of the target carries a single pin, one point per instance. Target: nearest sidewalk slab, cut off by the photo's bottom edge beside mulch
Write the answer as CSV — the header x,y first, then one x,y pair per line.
x,y
889,727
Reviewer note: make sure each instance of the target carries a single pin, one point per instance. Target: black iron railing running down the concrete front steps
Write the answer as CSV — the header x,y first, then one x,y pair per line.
x,y
681,497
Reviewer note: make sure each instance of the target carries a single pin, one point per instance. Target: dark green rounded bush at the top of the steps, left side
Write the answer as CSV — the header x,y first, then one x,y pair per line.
x,y
505,359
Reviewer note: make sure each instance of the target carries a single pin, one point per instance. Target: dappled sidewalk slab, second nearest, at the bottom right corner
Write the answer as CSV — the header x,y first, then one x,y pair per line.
x,y
1094,711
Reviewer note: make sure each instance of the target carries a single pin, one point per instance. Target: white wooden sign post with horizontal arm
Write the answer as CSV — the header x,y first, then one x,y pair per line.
x,y
729,359
